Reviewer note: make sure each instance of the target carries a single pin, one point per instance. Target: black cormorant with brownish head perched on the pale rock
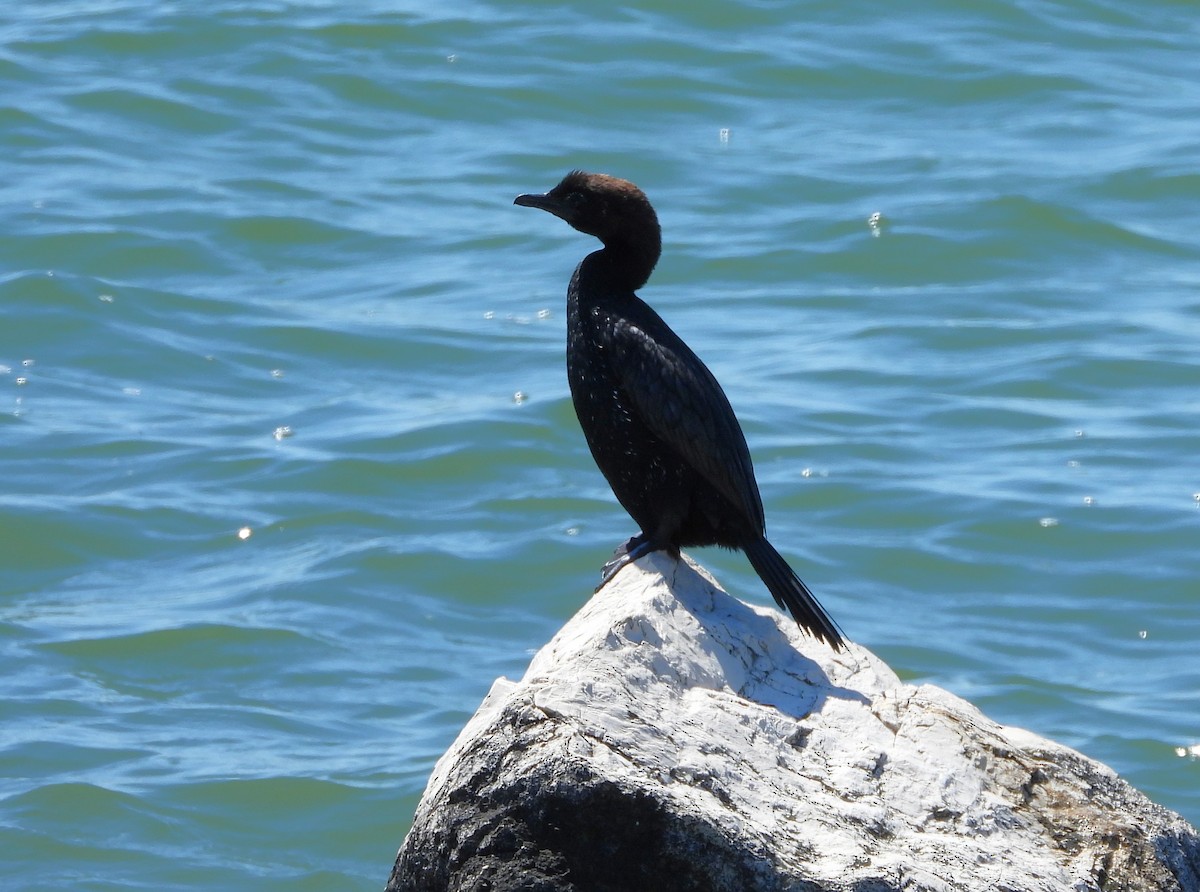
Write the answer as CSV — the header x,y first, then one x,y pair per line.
x,y
658,424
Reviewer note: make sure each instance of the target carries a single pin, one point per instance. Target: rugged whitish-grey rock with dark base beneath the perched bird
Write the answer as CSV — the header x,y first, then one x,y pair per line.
x,y
671,738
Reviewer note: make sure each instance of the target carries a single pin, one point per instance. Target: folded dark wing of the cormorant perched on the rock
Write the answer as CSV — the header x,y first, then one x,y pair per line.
x,y
681,403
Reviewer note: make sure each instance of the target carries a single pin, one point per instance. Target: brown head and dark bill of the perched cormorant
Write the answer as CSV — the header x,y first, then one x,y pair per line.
x,y
615,211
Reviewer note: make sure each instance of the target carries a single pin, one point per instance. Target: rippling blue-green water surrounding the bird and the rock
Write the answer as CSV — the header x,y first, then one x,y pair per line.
x,y
260,271
